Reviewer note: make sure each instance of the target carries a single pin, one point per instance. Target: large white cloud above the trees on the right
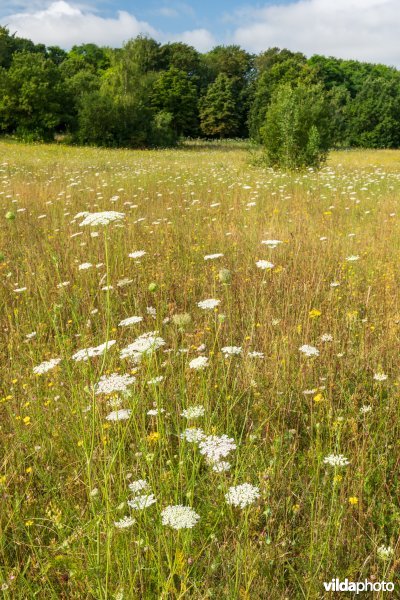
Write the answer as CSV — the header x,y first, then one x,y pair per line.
x,y
359,29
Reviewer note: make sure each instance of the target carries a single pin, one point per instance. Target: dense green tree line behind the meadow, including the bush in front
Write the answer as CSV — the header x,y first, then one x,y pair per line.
x,y
150,94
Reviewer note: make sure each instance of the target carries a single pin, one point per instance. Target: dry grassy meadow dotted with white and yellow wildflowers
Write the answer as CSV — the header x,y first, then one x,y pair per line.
x,y
289,382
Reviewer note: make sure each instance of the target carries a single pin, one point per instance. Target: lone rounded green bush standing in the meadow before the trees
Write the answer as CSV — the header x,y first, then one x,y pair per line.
x,y
297,131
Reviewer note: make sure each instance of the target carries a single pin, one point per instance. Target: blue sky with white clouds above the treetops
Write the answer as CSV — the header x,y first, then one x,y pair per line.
x,y
357,29
